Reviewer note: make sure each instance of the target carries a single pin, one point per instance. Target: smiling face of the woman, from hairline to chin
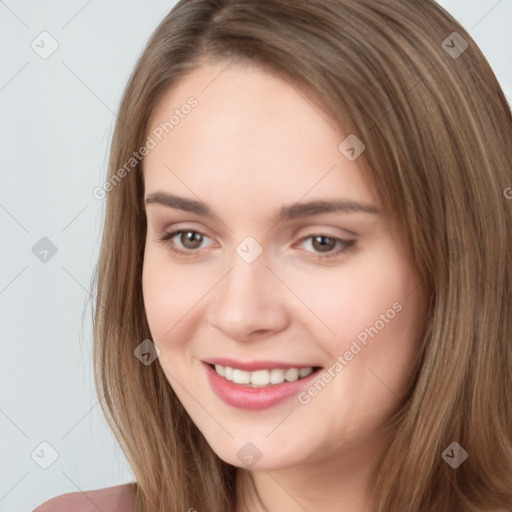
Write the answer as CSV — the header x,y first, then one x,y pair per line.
x,y
276,268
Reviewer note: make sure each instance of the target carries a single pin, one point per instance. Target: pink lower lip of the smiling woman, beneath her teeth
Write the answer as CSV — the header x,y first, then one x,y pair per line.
x,y
246,397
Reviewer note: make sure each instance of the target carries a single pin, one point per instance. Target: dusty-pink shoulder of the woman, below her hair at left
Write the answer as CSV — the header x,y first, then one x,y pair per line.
x,y
119,498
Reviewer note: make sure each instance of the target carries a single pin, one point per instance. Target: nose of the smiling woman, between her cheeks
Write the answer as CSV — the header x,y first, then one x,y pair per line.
x,y
249,302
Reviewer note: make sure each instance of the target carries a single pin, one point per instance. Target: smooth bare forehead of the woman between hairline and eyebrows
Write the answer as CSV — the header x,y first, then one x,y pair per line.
x,y
249,133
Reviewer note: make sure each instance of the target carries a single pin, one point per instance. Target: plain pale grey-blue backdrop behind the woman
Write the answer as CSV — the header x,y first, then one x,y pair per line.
x,y
56,119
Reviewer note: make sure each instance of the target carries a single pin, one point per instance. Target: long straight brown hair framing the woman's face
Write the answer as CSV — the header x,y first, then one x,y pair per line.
x,y
412,84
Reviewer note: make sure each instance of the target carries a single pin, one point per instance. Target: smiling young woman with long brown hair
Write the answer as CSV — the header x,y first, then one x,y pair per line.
x,y
305,282
